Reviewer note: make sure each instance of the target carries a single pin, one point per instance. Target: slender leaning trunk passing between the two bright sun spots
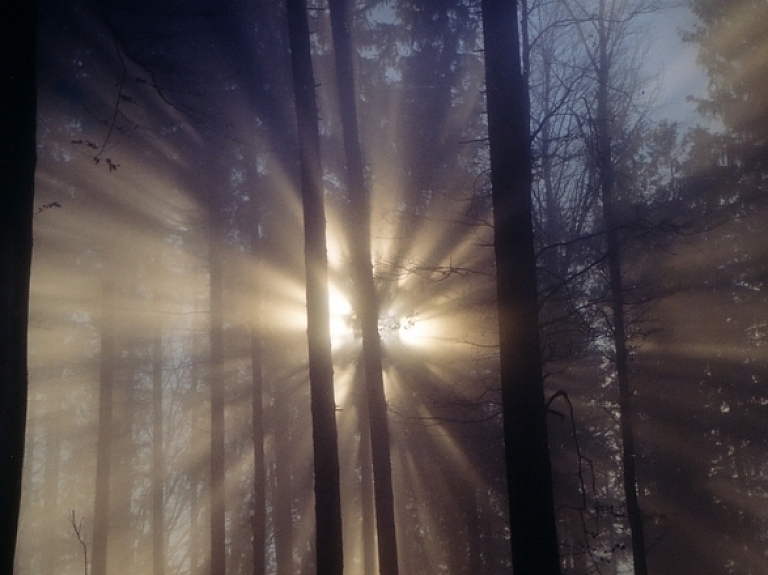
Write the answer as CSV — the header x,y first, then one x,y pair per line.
x,y
366,303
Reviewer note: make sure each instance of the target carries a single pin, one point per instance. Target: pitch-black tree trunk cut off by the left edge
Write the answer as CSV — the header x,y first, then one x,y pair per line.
x,y
18,156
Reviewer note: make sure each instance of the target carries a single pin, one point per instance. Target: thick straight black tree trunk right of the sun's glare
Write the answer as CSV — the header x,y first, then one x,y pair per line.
x,y
529,480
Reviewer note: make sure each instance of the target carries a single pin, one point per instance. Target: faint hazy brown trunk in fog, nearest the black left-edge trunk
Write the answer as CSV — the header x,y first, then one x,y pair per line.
x,y
104,443
